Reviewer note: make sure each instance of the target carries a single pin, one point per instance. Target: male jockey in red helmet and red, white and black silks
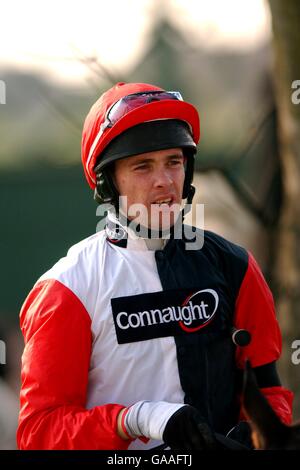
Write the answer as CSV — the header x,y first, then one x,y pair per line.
x,y
128,339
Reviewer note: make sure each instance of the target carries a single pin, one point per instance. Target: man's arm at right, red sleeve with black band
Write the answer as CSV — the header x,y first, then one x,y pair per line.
x,y
255,312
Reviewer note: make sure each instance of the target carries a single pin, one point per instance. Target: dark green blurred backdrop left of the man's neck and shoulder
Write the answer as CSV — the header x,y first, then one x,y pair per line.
x,y
43,212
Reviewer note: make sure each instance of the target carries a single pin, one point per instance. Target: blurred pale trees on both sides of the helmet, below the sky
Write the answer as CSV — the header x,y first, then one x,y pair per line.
x,y
231,90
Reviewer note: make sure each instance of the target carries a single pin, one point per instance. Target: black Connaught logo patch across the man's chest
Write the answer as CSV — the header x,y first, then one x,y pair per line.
x,y
160,314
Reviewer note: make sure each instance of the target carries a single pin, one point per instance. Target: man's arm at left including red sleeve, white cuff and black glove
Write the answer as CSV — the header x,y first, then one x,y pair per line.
x,y
55,363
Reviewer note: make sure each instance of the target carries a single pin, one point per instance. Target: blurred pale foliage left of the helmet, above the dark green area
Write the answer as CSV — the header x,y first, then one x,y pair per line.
x,y
40,121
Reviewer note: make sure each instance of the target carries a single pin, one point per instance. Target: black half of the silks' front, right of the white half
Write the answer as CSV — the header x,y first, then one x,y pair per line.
x,y
206,357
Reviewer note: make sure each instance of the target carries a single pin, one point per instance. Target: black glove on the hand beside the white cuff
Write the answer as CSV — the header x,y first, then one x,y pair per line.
x,y
186,430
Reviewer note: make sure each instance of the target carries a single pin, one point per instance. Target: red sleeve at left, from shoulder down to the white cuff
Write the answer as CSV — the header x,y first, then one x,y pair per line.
x,y
55,364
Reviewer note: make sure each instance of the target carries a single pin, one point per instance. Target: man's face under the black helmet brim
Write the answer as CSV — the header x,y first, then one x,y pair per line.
x,y
154,181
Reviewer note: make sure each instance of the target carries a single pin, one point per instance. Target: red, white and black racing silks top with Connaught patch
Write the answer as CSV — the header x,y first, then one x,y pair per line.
x,y
113,323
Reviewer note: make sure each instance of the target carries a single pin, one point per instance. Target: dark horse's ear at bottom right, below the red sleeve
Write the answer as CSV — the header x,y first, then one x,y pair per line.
x,y
268,430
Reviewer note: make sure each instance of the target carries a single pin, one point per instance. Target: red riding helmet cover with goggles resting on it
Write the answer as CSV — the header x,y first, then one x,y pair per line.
x,y
122,107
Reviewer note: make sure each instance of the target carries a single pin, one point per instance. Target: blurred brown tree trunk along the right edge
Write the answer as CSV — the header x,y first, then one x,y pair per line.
x,y
286,271
